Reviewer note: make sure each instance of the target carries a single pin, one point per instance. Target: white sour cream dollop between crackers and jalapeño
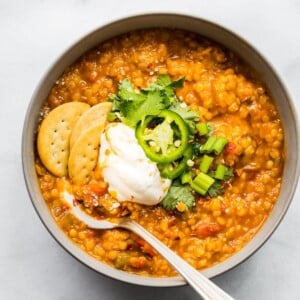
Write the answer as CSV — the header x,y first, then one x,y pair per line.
x,y
130,174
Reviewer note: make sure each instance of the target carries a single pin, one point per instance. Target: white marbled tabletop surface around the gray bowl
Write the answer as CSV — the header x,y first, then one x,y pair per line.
x,y
33,33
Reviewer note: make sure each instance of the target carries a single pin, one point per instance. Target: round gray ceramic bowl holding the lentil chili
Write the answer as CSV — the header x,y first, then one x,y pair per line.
x,y
214,32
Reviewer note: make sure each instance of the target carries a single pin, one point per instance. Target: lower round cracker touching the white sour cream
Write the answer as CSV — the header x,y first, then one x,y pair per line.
x,y
84,154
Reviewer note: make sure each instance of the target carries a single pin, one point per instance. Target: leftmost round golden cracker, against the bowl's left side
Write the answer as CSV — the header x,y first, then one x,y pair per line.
x,y
53,141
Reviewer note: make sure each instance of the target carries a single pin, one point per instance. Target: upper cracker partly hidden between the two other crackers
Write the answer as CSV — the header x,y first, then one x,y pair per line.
x,y
97,114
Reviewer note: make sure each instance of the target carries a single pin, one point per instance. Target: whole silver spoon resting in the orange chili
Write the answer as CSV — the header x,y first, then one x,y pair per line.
x,y
201,284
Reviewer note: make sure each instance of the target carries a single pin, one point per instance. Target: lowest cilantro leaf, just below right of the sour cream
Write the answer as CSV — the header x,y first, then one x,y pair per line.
x,y
176,194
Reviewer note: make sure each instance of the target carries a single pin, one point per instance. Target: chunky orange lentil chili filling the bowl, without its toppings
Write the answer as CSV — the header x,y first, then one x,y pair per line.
x,y
226,93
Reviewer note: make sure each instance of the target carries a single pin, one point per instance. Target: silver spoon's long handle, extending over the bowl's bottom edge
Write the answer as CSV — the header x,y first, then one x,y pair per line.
x,y
202,285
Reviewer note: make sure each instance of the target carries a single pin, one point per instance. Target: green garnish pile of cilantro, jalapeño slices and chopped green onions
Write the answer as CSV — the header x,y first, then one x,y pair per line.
x,y
172,136
